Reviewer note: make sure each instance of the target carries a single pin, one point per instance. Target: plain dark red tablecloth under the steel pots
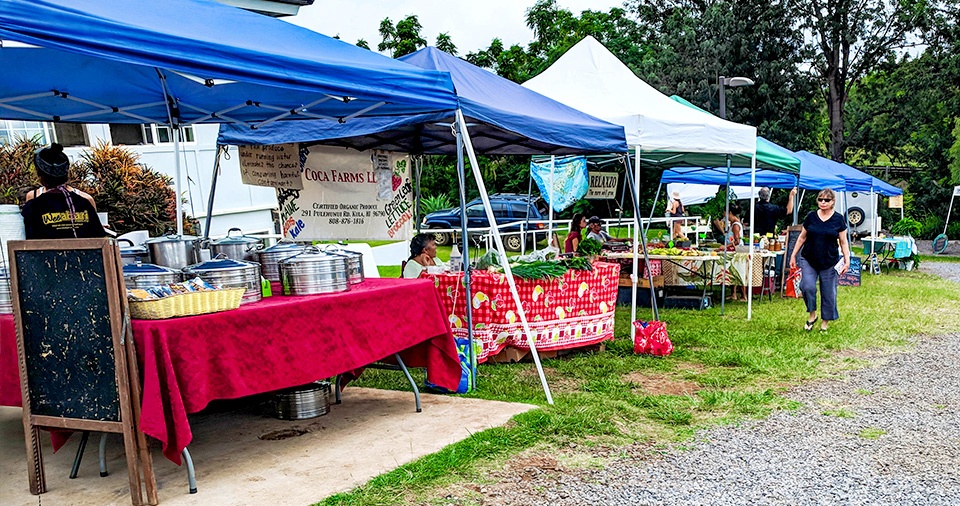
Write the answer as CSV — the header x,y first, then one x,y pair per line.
x,y
278,343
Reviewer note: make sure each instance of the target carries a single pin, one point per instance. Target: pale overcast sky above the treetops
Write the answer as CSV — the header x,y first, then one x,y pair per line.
x,y
470,24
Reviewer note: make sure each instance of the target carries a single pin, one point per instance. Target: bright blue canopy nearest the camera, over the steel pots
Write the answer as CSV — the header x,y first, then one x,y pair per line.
x,y
122,61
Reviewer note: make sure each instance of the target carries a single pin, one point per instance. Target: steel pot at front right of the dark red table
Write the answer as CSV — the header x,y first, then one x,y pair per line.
x,y
312,272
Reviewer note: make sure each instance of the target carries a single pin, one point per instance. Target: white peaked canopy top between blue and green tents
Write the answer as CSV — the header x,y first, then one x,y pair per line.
x,y
590,78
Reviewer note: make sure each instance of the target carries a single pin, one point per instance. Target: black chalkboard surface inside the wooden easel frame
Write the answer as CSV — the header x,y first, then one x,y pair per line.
x,y
68,340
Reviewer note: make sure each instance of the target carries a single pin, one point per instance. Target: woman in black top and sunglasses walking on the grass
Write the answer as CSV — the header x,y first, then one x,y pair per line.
x,y
824,234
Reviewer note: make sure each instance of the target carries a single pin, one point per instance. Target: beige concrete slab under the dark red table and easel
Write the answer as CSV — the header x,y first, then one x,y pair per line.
x,y
243,456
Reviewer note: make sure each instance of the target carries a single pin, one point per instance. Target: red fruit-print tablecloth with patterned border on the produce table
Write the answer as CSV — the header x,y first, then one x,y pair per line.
x,y
570,312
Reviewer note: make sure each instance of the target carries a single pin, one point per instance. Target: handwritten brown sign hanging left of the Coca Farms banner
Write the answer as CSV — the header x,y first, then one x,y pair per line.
x,y
277,165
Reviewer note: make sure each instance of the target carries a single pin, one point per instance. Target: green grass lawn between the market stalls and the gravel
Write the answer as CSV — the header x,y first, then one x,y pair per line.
x,y
723,369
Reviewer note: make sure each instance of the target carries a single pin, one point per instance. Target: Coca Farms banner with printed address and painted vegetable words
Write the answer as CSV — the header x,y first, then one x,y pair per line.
x,y
349,194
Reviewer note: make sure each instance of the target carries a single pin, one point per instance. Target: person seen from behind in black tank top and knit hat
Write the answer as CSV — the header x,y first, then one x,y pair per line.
x,y
57,212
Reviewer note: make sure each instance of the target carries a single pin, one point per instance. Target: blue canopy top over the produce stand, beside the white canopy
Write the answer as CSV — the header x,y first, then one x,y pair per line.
x,y
503,118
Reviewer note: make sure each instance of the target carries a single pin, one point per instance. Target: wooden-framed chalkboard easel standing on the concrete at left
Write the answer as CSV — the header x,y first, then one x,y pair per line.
x,y
77,361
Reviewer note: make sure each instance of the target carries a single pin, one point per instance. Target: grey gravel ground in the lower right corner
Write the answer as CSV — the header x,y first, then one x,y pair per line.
x,y
888,434
